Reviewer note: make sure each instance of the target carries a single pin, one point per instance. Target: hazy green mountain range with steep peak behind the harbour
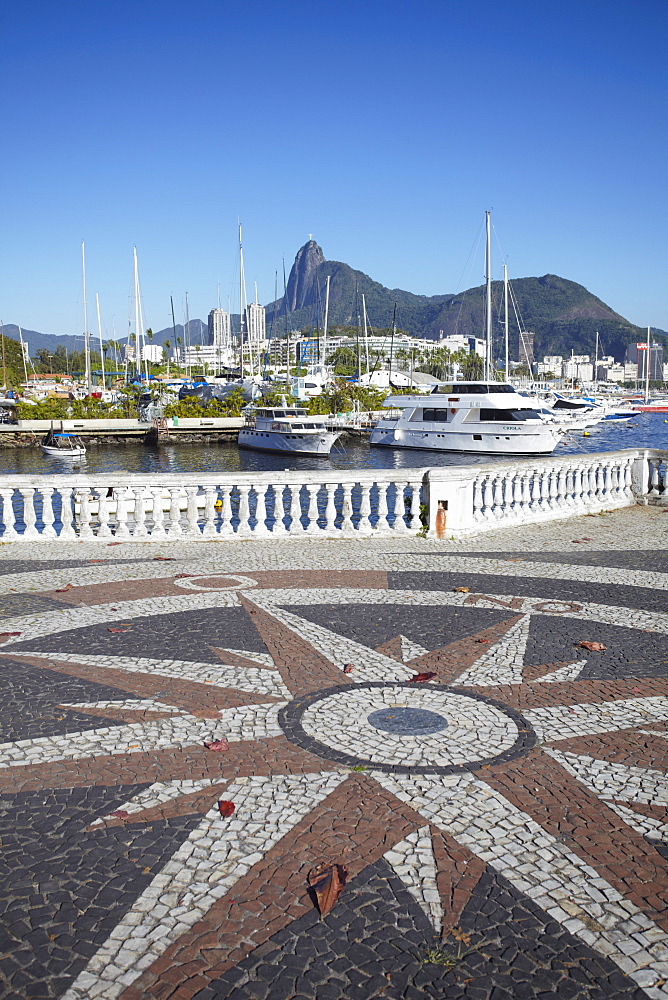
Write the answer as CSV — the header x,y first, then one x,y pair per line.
x,y
563,315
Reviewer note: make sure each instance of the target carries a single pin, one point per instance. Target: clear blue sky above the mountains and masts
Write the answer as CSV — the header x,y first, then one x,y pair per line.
x,y
383,128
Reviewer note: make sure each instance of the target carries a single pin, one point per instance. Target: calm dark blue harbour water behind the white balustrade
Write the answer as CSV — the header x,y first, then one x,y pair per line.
x,y
646,430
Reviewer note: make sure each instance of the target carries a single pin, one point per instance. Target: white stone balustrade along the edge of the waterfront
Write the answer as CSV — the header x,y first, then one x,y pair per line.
x,y
444,502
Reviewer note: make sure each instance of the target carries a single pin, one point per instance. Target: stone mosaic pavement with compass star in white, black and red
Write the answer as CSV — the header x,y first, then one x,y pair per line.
x,y
421,713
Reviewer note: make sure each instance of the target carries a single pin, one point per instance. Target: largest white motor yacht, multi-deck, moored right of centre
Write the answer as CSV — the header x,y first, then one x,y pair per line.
x,y
487,418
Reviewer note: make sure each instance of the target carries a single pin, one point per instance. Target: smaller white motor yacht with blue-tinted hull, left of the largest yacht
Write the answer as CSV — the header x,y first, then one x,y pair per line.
x,y
286,429
